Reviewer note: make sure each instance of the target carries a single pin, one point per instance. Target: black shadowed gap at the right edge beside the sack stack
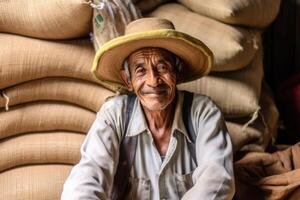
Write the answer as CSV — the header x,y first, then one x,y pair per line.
x,y
282,66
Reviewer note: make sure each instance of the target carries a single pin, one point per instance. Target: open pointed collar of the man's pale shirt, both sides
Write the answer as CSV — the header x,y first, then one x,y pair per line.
x,y
138,123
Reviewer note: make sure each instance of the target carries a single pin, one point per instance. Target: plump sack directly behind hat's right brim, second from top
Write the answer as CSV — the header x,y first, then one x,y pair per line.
x,y
233,47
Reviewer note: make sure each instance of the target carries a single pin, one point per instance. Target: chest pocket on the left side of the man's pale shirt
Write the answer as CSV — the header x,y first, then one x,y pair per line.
x,y
139,189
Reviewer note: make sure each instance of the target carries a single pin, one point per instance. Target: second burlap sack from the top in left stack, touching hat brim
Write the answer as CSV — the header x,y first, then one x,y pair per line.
x,y
24,59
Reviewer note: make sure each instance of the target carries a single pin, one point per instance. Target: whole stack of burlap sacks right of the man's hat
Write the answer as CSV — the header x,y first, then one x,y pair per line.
x,y
235,83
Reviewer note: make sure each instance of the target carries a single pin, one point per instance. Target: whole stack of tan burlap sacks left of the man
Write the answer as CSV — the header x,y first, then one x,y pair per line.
x,y
48,96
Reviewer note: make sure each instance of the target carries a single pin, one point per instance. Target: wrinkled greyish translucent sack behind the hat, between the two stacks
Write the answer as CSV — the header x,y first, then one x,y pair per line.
x,y
110,18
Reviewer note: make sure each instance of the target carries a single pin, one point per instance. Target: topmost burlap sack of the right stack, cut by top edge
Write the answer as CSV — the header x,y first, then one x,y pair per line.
x,y
256,13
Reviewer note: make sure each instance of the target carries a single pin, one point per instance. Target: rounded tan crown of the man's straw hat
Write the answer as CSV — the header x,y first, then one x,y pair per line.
x,y
148,24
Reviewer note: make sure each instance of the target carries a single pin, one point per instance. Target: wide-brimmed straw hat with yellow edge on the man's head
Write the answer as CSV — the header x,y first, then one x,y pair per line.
x,y
151,32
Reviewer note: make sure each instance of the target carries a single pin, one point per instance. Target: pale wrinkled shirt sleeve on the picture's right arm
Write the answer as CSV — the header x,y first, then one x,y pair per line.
x,y
214,177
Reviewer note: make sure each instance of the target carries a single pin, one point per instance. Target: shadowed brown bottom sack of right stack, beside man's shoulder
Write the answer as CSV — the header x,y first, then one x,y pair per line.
x,y
259,134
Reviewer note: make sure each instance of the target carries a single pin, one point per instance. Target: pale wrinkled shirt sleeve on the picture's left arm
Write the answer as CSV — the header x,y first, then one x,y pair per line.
x,y
92,177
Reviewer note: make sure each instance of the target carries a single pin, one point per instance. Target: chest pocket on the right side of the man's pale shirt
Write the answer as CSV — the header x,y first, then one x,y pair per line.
x,y
184,182
